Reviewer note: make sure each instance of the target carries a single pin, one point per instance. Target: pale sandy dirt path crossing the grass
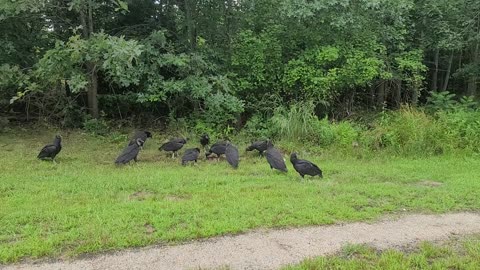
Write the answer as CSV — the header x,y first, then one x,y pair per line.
x,y
275,248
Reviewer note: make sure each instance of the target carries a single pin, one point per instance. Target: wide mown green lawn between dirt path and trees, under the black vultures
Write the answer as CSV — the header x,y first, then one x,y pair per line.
x,y
85,204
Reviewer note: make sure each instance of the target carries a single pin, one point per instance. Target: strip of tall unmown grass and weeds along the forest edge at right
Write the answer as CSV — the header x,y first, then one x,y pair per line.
x,y
408,131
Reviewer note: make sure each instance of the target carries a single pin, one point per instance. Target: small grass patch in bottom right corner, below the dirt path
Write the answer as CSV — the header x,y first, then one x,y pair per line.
x,y
455,254
